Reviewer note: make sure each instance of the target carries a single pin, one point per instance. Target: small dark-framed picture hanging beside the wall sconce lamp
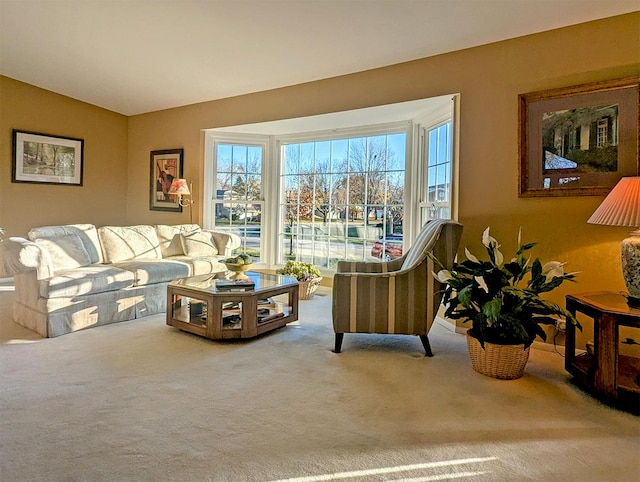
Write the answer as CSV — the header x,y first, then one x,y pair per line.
x,y
165,167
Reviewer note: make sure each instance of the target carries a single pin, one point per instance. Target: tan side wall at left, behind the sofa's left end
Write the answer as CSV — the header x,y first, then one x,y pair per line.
x,y
102,199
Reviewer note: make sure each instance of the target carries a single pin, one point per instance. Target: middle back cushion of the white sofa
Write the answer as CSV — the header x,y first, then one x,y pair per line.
x,y
123,243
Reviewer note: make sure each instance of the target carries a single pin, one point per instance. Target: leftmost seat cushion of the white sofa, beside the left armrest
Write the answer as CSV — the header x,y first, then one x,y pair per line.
x,y
97,278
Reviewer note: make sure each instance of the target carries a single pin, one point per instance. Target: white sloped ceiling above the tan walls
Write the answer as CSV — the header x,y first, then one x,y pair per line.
x,y
137,56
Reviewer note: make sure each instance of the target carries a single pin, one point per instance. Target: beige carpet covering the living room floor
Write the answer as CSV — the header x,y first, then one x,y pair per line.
x,y
144,401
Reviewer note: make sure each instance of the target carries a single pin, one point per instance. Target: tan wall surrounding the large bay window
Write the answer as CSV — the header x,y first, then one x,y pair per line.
x,y
489,79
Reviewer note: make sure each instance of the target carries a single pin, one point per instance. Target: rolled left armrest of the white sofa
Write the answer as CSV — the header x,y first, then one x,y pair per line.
x,y
19,255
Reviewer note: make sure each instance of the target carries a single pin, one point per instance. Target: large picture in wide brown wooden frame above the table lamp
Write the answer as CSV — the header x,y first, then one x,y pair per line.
x,y
579,140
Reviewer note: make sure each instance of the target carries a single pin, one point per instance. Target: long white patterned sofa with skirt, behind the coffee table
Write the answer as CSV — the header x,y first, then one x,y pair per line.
x,y
72,277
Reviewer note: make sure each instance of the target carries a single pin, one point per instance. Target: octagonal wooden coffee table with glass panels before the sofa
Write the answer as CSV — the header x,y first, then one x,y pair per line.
x,y
196,305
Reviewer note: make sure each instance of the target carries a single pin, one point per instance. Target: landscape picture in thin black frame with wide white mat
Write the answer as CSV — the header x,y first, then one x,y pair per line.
x,y
47,159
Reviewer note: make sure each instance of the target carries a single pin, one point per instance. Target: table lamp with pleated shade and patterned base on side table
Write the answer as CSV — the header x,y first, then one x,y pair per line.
x,y
621,207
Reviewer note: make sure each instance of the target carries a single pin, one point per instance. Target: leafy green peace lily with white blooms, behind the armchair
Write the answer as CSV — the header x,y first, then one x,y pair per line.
x,y
504,308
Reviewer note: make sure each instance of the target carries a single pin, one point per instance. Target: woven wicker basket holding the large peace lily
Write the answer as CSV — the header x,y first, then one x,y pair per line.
x,y
506,362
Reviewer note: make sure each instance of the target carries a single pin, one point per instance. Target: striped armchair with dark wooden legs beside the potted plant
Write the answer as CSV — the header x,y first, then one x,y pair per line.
x,y
399,296
